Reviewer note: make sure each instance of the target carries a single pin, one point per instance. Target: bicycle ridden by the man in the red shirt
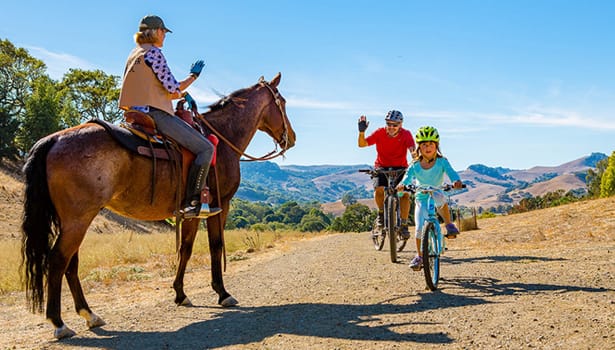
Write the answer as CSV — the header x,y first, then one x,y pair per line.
x,y
392,220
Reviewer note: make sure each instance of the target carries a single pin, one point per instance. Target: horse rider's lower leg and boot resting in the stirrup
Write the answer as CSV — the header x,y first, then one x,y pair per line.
x,y
193,207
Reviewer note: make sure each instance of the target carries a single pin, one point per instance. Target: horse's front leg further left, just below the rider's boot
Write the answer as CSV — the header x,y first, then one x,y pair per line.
x,y
188,234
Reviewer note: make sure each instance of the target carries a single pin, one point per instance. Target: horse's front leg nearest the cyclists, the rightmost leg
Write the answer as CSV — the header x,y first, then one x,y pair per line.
x,y
216,246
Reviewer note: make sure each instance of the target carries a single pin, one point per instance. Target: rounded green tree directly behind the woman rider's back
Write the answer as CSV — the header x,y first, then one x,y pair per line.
x,y
89,95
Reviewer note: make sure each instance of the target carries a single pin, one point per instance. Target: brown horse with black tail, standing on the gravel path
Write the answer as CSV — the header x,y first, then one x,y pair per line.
x,y
74,173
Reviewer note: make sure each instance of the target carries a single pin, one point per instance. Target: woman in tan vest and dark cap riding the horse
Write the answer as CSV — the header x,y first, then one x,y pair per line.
x,y
149,87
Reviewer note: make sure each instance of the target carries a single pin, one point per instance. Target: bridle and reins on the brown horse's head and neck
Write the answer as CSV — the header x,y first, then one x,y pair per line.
x,y
271,155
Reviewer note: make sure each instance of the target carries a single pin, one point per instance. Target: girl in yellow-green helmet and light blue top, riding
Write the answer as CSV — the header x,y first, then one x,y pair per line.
x,y
429,168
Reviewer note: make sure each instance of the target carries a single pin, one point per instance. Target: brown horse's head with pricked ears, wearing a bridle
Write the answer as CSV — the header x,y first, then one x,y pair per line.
x,y
274,120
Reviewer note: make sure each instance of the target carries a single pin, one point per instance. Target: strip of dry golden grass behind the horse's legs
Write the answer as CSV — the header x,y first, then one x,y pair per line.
x,y
127,256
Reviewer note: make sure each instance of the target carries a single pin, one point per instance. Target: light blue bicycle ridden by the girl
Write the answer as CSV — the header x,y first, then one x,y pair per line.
x,y
432,244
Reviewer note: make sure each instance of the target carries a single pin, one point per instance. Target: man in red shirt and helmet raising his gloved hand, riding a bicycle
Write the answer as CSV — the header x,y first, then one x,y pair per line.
x,y
393,143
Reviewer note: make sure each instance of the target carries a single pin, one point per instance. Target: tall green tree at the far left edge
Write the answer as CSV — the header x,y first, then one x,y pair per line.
x,y
17,72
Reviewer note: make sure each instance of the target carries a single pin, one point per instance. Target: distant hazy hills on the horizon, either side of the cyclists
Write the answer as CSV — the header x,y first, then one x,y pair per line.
x,y
488,186
